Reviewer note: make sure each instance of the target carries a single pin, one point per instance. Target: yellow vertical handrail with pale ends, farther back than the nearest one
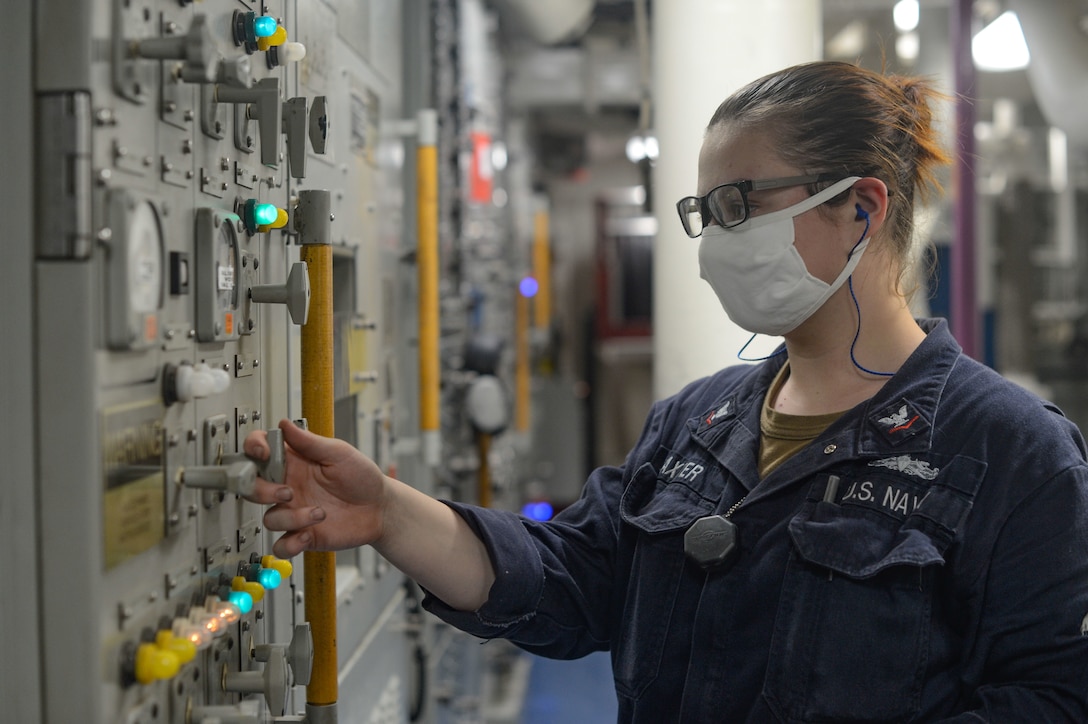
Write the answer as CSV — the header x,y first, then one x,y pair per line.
x,y
427,262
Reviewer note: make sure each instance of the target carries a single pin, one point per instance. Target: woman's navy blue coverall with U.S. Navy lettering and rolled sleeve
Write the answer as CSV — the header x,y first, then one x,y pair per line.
x,y
946,579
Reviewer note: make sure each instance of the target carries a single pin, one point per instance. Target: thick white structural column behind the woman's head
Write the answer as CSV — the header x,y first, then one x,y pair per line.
x,y
703,51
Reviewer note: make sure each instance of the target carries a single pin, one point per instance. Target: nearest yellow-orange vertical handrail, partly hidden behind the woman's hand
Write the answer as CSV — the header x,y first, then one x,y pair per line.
x,y
313,223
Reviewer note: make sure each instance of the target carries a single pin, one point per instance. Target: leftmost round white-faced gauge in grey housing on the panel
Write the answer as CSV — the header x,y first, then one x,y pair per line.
x,y
135,271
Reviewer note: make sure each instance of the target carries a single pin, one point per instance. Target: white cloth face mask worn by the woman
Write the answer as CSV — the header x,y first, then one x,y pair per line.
x,y
759,275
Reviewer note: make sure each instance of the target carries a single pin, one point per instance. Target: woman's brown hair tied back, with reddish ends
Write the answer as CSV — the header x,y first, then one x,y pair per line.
x,y
839,118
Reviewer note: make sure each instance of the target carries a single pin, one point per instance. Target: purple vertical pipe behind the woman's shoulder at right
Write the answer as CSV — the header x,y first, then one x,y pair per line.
x,y
965,321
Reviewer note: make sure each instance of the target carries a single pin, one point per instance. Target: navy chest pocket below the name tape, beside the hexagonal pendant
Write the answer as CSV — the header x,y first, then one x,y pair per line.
x,y
656,514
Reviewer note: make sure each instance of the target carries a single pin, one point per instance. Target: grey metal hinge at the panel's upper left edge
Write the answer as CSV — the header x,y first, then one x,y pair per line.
x,y
65,176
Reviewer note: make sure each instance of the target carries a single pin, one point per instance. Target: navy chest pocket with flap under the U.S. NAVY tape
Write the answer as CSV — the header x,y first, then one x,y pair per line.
x,y
852,632
